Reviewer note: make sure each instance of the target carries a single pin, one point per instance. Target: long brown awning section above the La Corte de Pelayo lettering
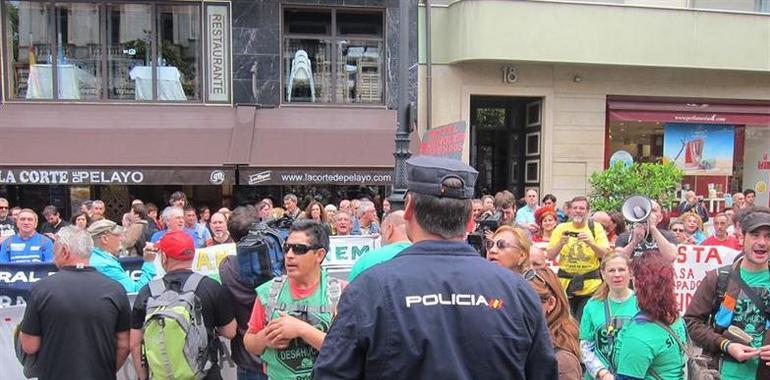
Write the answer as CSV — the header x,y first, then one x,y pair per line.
x,y
119,135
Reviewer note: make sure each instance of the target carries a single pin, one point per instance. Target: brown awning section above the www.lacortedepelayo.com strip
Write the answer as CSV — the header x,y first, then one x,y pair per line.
x,y
312,137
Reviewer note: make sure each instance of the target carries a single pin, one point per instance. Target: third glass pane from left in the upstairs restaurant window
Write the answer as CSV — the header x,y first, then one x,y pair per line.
x,y
129,52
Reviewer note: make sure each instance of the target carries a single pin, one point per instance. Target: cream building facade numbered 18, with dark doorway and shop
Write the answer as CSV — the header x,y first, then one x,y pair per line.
x,y
552,90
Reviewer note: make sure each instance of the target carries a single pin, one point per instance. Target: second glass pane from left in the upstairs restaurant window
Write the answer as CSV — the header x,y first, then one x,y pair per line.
x,y
79,51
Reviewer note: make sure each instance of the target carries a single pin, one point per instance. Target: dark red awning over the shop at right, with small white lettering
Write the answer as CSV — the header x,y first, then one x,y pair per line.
x,y
678,112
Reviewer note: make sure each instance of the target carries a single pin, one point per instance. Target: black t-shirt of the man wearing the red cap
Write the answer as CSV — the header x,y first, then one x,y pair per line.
x,y
215,304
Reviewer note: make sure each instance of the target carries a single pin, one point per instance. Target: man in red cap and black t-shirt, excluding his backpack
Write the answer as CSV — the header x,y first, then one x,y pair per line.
x,y
177,251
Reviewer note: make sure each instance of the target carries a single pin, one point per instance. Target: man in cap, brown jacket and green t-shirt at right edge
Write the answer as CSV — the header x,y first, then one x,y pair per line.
x,y
728,315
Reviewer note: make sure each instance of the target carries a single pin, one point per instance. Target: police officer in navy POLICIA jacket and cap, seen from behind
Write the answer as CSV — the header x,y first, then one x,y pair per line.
x,y
438,310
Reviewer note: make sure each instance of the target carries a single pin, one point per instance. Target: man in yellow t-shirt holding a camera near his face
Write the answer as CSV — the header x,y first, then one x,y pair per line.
x,y
580,245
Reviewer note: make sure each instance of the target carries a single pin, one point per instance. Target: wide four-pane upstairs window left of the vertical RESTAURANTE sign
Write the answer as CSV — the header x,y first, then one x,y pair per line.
x,y
103,51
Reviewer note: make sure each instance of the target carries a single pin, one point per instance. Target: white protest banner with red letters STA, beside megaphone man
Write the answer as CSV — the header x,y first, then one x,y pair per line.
x,y
690,267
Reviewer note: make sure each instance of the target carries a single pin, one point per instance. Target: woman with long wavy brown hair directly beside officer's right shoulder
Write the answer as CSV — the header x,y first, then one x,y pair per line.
x,y
561,326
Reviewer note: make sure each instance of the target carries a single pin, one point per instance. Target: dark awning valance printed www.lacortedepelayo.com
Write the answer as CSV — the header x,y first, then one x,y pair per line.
x,y
315,176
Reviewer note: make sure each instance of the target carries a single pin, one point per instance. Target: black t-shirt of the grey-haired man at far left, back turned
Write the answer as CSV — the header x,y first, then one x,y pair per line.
x,y
77,313
